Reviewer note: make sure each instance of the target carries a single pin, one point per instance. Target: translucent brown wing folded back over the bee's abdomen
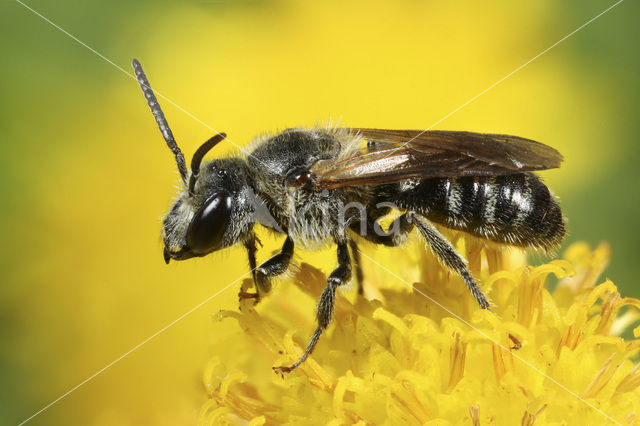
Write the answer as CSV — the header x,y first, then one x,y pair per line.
x,y
398,155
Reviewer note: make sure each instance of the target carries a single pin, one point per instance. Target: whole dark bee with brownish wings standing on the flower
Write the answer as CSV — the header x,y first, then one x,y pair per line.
x,y
304,183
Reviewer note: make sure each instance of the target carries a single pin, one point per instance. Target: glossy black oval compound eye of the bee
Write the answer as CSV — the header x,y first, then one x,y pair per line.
x,y
209,224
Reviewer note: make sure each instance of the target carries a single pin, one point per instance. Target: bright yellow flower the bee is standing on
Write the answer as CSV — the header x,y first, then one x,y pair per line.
x,y
423,352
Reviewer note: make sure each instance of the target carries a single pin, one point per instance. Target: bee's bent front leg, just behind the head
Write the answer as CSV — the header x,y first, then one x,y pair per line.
x,y
262,275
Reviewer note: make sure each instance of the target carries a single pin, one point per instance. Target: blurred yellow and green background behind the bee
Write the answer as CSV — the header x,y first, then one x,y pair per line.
x,y
86,177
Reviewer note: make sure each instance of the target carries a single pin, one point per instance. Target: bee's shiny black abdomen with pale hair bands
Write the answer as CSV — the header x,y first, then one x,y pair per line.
x,y
515,209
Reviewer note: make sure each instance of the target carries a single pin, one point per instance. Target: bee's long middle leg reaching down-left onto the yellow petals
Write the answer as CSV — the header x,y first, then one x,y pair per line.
x,y
324,311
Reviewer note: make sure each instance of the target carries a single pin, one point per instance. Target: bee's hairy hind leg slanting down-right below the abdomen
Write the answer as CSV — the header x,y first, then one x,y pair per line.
x,y
448,255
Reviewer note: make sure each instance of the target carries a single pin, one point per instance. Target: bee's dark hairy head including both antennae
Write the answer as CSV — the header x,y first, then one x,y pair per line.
x,y
214,209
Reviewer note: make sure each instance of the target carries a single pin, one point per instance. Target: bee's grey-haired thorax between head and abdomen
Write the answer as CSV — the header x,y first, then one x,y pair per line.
x,y
312,219
